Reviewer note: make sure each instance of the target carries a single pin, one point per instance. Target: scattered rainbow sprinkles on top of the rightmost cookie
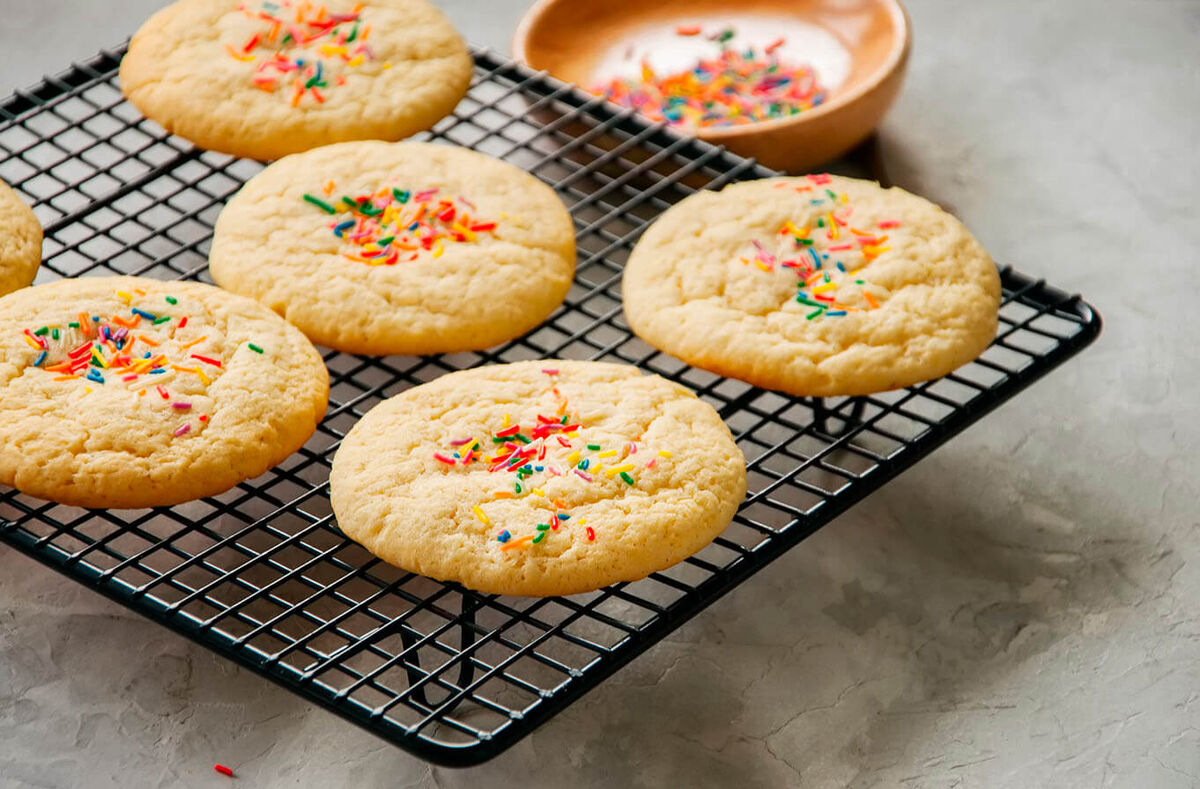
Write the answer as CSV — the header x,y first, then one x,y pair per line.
x,y
829,257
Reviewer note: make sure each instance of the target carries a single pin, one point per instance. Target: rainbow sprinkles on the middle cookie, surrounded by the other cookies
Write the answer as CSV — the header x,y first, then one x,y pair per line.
x,y
385,227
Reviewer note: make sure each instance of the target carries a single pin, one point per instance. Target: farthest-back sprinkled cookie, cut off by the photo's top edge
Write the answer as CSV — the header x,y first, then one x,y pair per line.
x,y
267,79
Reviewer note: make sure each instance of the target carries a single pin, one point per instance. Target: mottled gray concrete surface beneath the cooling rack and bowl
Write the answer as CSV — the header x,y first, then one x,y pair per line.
x,y
1019,611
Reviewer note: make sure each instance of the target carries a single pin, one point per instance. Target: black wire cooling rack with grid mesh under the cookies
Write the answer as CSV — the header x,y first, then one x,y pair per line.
x,y
261,574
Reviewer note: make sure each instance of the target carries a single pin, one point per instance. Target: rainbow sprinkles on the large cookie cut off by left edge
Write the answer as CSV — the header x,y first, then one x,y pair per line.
x,y
127,350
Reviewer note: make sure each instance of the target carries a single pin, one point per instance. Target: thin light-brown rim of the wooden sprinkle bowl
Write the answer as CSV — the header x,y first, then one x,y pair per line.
x,y
896,59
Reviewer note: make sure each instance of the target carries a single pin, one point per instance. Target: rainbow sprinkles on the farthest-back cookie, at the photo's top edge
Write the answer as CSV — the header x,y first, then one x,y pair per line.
x,y
299,45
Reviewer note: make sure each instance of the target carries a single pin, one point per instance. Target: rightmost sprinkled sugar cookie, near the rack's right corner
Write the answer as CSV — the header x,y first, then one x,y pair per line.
x,y
817,286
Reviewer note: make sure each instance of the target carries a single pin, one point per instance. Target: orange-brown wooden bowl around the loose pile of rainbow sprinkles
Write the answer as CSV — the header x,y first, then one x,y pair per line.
x,y
580,41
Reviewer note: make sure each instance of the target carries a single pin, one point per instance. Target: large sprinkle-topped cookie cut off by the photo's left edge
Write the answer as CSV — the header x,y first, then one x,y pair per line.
x,y
133,393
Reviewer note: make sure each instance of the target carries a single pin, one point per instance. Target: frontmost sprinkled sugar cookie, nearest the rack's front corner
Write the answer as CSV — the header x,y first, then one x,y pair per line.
x,y
537,479
